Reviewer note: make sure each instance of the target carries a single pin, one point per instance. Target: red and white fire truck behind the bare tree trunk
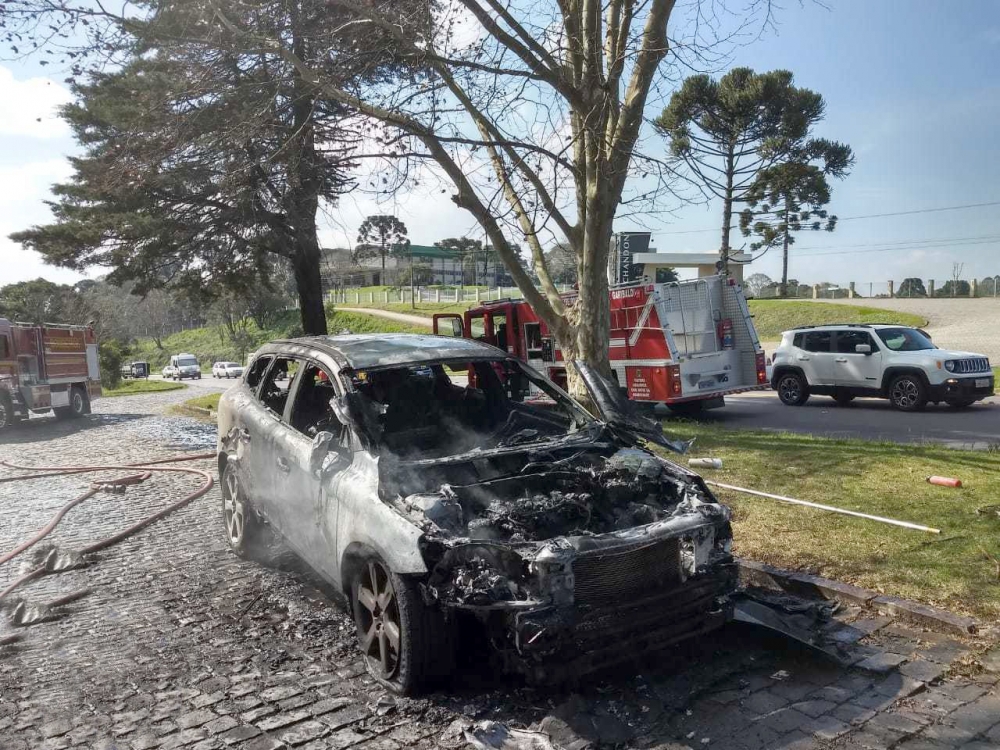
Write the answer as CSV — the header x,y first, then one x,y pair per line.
x,y
686,344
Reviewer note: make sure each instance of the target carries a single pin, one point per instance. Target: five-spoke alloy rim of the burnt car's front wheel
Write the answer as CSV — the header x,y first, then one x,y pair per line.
x,y
376,613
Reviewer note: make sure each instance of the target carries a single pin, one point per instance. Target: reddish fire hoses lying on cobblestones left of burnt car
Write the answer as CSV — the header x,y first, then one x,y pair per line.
x,y
147,469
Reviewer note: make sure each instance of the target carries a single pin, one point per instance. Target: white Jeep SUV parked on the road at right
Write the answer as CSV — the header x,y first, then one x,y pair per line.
x,y
883,361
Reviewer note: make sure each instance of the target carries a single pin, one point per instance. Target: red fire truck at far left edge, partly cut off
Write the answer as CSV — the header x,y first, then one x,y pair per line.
x,y
45,367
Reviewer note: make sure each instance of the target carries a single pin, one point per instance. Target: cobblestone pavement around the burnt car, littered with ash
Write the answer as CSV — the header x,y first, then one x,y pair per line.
x,y
181,644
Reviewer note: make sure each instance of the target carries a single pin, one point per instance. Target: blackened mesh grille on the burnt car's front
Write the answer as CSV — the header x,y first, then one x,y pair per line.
x,y
620,575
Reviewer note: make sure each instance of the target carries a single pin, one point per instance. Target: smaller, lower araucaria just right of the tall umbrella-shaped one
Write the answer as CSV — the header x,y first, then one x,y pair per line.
x,y
791,196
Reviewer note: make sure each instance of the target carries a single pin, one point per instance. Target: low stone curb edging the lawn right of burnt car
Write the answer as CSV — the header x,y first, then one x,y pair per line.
x,y
816,587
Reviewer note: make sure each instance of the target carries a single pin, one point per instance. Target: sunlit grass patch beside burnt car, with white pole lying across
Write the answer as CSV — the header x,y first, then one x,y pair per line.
x,y
952,570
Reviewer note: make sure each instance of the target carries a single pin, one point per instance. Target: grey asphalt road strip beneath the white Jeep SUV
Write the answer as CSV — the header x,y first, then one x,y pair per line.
x,y
977,427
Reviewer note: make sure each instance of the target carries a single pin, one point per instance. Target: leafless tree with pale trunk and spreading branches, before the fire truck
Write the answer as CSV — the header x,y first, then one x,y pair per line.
x,y
528,113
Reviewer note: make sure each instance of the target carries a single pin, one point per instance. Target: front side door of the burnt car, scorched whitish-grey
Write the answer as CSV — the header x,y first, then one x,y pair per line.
x,y
304,499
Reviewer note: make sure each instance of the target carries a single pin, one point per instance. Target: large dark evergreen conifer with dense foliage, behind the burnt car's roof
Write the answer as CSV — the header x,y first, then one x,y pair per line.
x,y
204,160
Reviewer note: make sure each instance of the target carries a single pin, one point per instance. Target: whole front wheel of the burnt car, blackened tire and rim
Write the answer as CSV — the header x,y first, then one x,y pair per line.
x,y
389,607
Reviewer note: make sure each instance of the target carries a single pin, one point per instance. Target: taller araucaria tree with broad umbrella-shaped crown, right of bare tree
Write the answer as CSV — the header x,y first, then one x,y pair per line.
x,y
729,131
